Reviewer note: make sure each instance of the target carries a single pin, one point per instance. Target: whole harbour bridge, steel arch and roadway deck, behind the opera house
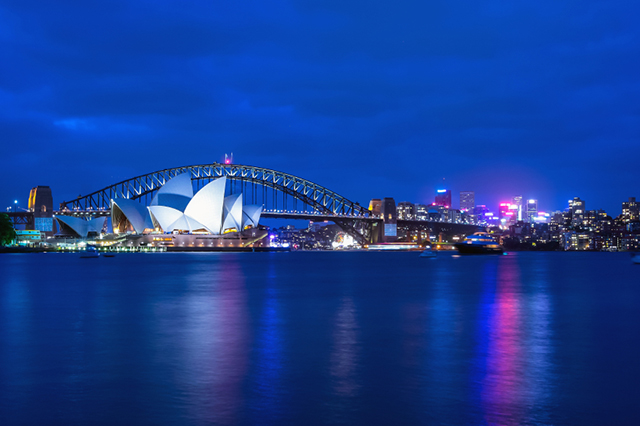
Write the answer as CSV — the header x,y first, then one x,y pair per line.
x,y
282,195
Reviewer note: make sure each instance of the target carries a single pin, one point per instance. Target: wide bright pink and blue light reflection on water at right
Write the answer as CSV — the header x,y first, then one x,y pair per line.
x,y
511,369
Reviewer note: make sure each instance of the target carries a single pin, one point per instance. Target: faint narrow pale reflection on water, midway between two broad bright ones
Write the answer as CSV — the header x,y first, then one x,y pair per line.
x,y
344,356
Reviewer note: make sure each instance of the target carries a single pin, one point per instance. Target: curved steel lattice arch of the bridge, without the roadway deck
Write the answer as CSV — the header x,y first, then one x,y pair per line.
x,y
316,196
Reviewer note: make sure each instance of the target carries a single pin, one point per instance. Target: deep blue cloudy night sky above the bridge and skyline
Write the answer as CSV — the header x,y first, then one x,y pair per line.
x,y
370,99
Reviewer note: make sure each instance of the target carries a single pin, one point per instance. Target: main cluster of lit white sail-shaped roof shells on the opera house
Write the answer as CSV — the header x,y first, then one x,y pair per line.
x,y
176,208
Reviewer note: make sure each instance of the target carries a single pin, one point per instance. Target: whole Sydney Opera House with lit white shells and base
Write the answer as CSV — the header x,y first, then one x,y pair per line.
x,y
177,219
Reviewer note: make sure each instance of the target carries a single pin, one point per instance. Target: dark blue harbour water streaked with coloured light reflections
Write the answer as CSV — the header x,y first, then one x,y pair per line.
x,y
314,338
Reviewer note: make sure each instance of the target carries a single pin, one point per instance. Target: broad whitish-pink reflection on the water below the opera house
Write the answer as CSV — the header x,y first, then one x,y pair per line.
x,y
216,340
